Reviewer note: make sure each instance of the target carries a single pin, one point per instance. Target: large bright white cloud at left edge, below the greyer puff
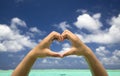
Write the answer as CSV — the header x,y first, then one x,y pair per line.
x,y
13,41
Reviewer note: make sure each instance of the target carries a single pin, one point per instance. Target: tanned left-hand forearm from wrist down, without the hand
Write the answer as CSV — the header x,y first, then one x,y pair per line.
x,y
24,67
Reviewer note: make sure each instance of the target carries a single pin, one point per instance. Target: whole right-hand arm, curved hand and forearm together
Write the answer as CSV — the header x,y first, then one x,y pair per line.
x,y
80,49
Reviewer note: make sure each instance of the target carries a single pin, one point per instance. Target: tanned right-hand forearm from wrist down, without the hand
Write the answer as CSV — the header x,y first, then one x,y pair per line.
x,y
96,67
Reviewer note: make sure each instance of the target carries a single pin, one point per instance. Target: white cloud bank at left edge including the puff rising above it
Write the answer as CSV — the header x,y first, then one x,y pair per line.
x,y
12,40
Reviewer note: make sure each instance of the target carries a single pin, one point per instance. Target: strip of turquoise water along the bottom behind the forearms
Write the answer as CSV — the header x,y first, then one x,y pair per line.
x,y
60,72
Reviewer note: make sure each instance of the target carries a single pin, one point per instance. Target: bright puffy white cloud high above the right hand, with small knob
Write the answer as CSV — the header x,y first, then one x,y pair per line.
x,y
85,21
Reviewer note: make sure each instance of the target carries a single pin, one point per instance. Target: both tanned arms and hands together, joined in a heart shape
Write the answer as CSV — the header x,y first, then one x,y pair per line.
x,y
43,50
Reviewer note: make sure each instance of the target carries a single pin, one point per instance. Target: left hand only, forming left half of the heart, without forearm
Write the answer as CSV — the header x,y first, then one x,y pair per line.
x,y
43,48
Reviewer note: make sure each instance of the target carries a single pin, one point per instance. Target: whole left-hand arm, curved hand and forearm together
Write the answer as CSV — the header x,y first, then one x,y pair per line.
x,y
40,51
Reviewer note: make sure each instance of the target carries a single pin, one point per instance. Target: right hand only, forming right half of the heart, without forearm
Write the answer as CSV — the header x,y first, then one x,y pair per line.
x,y
77,48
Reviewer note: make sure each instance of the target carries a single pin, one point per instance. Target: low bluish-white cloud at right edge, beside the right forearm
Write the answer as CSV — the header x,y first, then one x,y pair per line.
x,y
107,57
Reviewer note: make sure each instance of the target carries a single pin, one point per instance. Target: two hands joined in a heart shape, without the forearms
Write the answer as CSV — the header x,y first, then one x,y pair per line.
x,y
43,48
